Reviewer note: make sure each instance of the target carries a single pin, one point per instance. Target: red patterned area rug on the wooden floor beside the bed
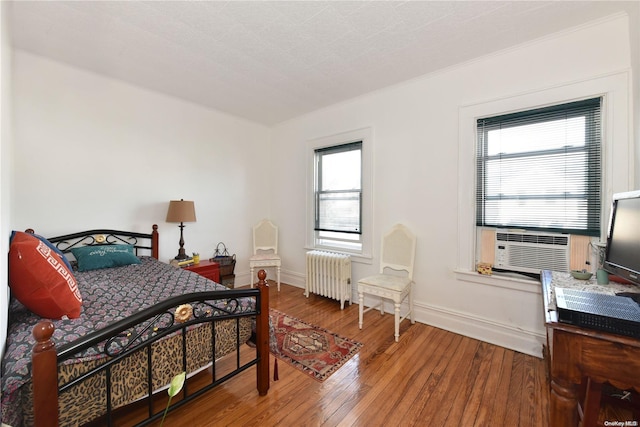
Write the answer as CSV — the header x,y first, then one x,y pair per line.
x,y
313,350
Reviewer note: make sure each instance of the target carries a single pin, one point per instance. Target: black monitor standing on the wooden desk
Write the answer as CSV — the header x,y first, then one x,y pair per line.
x,y
623,242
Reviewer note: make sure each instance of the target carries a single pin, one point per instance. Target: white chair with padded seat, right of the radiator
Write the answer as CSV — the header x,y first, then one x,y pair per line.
x,y
395,280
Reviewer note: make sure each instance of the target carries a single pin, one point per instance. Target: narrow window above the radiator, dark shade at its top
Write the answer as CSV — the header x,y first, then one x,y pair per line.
x,y
338,196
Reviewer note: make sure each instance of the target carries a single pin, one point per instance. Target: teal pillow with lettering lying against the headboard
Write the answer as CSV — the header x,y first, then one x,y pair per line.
x,y
104,256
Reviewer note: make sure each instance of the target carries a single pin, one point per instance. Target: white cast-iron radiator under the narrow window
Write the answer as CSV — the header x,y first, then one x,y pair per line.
x,y
329,275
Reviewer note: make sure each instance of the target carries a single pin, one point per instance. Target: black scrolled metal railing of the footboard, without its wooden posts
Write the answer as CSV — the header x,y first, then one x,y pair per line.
x,y
141,330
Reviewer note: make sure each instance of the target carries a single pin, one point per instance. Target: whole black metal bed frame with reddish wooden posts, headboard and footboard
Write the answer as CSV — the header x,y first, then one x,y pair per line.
x,y
140,331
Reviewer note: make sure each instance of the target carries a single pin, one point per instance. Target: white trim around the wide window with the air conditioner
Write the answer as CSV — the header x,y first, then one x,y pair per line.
x,y
615,91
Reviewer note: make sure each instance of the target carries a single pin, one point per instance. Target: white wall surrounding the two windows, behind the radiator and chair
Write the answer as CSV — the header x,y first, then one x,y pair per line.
x,y
416,176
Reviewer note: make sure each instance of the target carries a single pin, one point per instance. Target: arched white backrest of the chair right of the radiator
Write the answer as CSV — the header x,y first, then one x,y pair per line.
x,y
398,250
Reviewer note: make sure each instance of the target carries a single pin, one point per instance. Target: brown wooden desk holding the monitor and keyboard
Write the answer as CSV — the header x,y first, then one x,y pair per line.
x,y
574,353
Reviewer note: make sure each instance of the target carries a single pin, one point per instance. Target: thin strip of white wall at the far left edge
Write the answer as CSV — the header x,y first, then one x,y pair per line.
x,y
5,163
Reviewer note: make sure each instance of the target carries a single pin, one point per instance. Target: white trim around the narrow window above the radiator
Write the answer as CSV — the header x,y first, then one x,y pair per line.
x,y
366,136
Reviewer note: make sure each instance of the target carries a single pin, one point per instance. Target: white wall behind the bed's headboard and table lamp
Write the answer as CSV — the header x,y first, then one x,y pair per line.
x,y
93,152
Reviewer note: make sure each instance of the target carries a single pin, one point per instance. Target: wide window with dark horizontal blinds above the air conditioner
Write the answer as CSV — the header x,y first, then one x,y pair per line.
x,y
541,169
